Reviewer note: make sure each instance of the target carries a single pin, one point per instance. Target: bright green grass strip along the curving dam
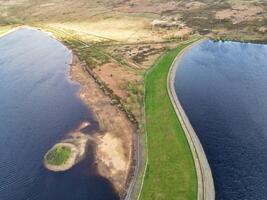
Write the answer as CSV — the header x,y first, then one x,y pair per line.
x,y
170,172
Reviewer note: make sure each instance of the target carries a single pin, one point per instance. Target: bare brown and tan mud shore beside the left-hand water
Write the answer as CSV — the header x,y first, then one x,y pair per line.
x,y
116,139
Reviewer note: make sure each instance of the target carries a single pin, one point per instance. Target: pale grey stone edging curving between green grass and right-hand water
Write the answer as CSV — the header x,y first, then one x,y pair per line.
x,y
205,183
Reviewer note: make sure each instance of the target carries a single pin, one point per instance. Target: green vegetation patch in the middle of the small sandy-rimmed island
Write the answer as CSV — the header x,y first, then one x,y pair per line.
x,y
59,155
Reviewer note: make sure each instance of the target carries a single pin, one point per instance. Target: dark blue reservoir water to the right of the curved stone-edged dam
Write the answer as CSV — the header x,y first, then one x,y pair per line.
x,y
223,90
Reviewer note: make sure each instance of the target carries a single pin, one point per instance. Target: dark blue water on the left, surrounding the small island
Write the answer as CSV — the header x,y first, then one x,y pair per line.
x,y
38,106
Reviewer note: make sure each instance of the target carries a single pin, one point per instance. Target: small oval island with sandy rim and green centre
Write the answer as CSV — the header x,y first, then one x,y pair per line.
x,y
61,157
